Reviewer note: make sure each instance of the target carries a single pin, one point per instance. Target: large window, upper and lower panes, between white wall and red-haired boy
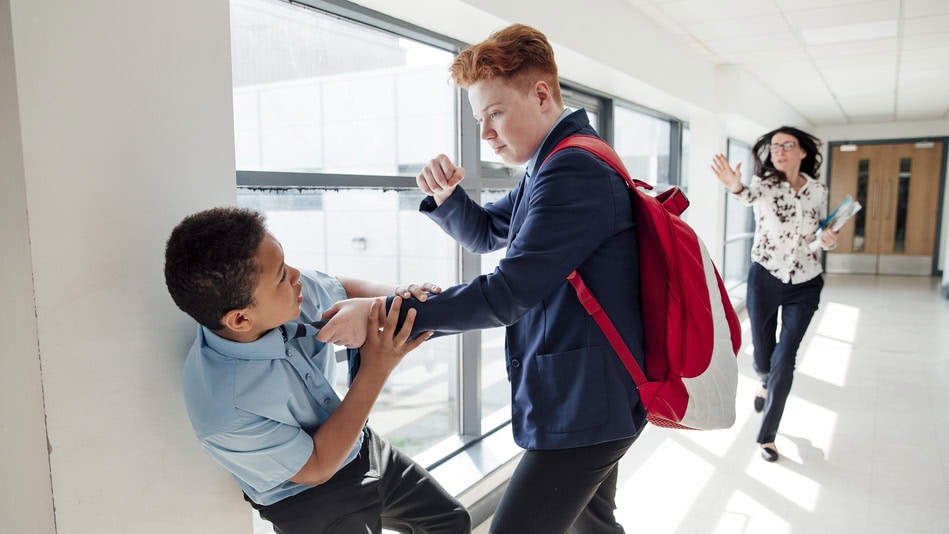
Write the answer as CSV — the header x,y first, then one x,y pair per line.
x,y
333,119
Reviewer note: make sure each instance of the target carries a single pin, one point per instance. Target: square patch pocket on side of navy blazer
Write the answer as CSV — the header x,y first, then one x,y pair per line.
x,y
571,389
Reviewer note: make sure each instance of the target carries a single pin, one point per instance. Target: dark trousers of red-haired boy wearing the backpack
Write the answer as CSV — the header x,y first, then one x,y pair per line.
x,y
563,491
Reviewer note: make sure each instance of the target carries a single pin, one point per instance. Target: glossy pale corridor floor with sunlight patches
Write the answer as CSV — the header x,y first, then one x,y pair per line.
x,y
864,441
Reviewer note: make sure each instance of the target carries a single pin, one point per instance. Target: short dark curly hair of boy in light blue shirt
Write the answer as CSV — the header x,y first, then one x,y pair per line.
x,y
211,263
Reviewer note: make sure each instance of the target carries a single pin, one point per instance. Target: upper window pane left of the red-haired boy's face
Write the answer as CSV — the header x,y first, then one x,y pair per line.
x,y
315,93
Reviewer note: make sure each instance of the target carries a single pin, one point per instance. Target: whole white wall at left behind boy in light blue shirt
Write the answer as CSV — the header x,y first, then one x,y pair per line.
x,y
125,125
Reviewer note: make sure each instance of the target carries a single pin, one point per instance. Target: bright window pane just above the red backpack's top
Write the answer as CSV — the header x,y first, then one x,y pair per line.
x,y
642,142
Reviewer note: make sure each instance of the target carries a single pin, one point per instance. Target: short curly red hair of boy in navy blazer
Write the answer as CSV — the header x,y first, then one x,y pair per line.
x,y
519,53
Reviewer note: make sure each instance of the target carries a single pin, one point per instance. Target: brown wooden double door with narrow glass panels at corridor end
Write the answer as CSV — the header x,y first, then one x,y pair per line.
x,y
898,186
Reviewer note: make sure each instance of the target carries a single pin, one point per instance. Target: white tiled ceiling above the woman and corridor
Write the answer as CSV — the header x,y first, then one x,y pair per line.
x,y
834,61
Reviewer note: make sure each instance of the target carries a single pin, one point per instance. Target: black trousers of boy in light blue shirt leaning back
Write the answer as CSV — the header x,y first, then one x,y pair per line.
x,y
382,487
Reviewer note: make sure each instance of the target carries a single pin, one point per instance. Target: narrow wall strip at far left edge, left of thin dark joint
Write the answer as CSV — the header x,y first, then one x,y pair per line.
x,y
26,502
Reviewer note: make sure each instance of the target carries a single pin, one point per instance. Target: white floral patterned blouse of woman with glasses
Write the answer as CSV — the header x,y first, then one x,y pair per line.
x,y
785,223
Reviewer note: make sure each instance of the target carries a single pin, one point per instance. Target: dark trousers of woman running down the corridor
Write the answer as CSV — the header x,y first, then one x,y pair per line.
x,y
775,358
